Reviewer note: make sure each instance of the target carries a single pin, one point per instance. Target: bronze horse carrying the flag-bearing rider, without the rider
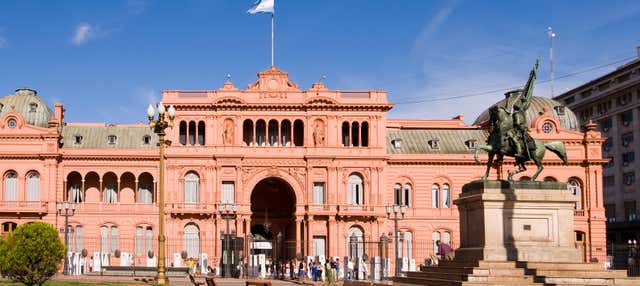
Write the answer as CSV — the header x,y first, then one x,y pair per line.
x,y
501,122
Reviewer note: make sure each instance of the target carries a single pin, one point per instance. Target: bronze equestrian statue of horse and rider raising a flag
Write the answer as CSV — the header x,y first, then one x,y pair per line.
x,y
509,133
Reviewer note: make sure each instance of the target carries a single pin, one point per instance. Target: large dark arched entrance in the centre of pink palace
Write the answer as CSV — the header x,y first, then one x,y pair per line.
x,y
273,207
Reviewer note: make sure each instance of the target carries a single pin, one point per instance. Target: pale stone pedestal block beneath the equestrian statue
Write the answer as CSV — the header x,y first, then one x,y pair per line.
x,y
516,221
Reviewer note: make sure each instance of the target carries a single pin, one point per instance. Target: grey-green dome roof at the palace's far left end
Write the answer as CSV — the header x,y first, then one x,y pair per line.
x,y
26,102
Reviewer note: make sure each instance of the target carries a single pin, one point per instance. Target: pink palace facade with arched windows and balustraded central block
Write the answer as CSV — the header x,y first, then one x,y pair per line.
x,y
317,166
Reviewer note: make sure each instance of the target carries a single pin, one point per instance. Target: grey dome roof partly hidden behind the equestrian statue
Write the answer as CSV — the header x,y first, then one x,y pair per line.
x,y
564,115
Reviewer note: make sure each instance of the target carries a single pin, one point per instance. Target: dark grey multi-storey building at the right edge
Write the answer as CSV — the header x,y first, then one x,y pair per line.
x,y
613,102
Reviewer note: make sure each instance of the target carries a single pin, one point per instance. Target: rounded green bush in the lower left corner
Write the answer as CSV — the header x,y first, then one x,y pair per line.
x,y
31,254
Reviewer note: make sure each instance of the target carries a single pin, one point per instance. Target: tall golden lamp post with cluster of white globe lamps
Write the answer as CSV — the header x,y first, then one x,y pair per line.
x,y
159,125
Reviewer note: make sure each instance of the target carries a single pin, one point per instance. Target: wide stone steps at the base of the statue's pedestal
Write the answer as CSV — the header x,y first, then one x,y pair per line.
x,y
516,273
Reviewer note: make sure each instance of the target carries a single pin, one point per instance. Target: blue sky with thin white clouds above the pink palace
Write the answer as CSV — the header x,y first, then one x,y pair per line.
x,y
107,60
